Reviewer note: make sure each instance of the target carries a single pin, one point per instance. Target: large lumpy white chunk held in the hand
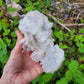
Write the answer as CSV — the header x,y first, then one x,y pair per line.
x,y
38,38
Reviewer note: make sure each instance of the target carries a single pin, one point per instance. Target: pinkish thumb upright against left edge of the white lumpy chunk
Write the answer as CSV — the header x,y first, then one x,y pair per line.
x,y
18,46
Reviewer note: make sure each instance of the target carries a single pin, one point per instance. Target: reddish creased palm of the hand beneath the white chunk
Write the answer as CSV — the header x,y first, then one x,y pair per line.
x,y
25,68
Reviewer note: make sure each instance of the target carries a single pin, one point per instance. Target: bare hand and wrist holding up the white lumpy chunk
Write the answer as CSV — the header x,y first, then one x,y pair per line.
x,y
20,68
